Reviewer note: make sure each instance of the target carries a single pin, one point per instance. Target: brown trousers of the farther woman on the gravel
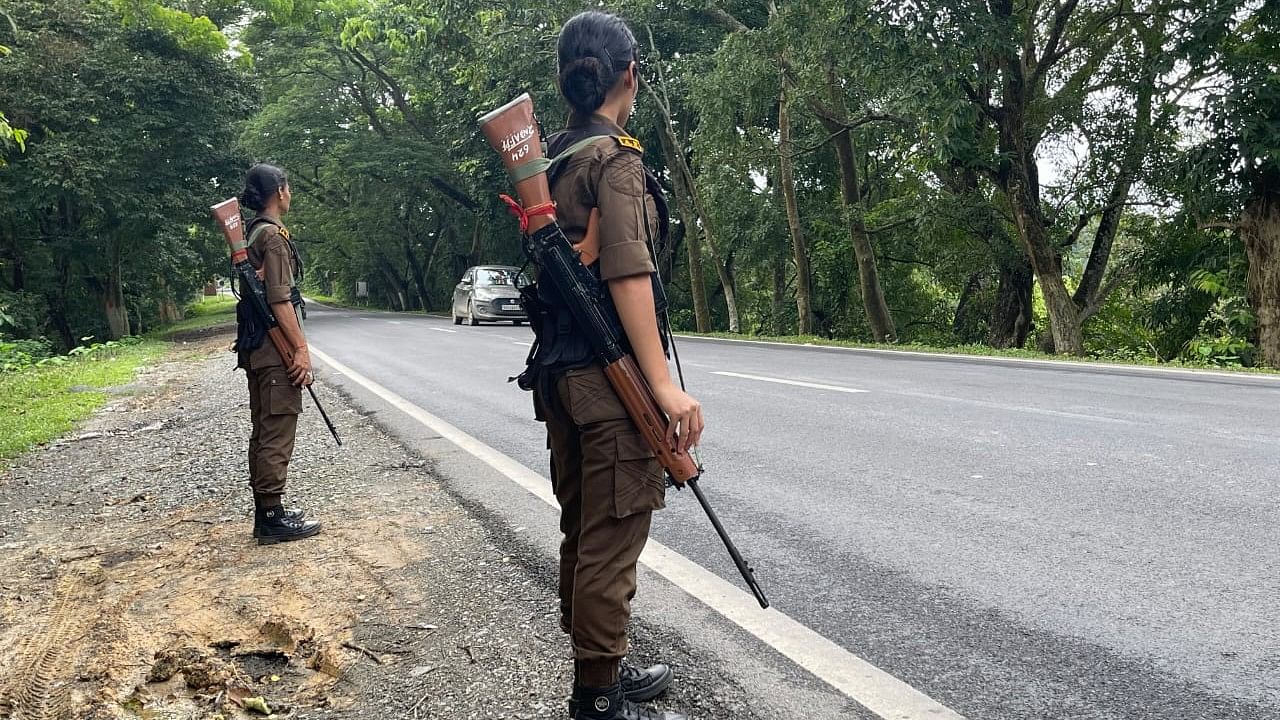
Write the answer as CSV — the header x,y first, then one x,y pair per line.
x,y
275,405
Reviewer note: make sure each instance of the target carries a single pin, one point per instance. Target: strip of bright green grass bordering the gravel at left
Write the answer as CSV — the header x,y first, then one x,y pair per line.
x,y
44,403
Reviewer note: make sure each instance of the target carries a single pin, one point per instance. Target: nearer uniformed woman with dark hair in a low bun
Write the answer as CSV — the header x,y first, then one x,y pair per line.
x,y
606,479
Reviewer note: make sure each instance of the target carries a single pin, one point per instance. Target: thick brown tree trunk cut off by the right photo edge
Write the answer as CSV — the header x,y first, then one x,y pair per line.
x,y
1260,227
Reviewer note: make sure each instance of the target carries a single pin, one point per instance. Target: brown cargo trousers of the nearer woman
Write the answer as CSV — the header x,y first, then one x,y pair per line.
x,y
609,485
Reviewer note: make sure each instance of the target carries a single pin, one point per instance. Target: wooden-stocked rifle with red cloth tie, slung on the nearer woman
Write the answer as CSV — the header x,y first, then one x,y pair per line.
x,y
513,131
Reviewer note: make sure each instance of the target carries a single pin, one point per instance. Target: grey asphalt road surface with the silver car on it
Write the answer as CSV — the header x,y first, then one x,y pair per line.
x,y
1016,540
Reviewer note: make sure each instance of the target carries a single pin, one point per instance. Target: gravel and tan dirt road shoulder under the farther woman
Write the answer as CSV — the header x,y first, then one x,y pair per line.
x,y
132,586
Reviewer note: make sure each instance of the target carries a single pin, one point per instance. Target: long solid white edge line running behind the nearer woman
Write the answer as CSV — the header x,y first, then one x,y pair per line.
x,y
867,685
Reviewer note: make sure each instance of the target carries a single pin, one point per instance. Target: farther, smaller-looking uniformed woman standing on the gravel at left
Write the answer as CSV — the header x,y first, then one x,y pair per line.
x,y
275,390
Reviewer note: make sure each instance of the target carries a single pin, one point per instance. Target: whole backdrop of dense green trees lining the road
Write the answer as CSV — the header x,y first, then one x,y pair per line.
x,y
1086,177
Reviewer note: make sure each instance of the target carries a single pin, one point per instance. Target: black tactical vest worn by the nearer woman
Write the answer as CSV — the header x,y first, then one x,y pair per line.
x,y
560,345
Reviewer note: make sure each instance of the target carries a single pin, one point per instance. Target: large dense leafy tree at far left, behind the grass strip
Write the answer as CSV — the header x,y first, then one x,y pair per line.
x,y
131,111
